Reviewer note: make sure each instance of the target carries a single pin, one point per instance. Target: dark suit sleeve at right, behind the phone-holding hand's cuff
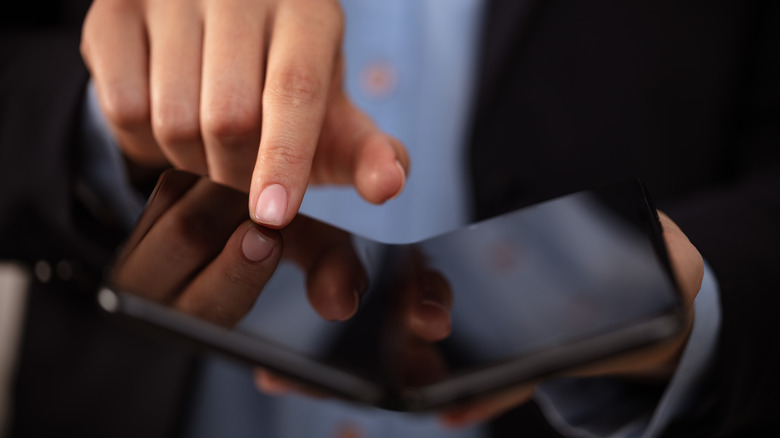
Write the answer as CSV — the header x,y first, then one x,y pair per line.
x,y
736,227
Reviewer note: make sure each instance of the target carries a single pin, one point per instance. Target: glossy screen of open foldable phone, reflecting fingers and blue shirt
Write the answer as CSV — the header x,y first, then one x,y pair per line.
x,y
505,300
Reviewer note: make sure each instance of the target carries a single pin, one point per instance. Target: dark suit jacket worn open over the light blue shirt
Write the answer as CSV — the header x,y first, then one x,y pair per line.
x,y
683,94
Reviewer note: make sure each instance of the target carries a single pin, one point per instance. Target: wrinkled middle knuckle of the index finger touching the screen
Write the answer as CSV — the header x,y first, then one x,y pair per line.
x,y
296,86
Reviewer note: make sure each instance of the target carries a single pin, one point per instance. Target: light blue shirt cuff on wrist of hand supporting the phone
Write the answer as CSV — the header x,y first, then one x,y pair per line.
x,y
611,407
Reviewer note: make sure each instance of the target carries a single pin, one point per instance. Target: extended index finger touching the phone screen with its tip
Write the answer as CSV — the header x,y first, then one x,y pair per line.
x,y
301,62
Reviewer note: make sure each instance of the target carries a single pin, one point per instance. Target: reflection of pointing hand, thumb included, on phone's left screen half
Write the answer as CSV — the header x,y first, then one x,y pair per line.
x,y
194,250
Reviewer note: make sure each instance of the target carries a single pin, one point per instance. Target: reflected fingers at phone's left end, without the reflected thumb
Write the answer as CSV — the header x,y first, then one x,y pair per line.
x,y
195,251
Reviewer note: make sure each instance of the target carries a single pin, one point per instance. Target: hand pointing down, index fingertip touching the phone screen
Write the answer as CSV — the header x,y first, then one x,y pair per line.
x,y
191,83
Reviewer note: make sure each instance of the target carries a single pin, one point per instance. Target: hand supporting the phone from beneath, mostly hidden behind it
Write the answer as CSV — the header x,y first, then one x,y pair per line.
x,y
657,363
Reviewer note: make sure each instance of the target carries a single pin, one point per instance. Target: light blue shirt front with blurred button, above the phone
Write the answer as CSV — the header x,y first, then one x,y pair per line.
x,y
423,52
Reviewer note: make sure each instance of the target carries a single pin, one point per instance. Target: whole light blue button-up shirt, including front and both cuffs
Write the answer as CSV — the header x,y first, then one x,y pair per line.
x,y
410,64
